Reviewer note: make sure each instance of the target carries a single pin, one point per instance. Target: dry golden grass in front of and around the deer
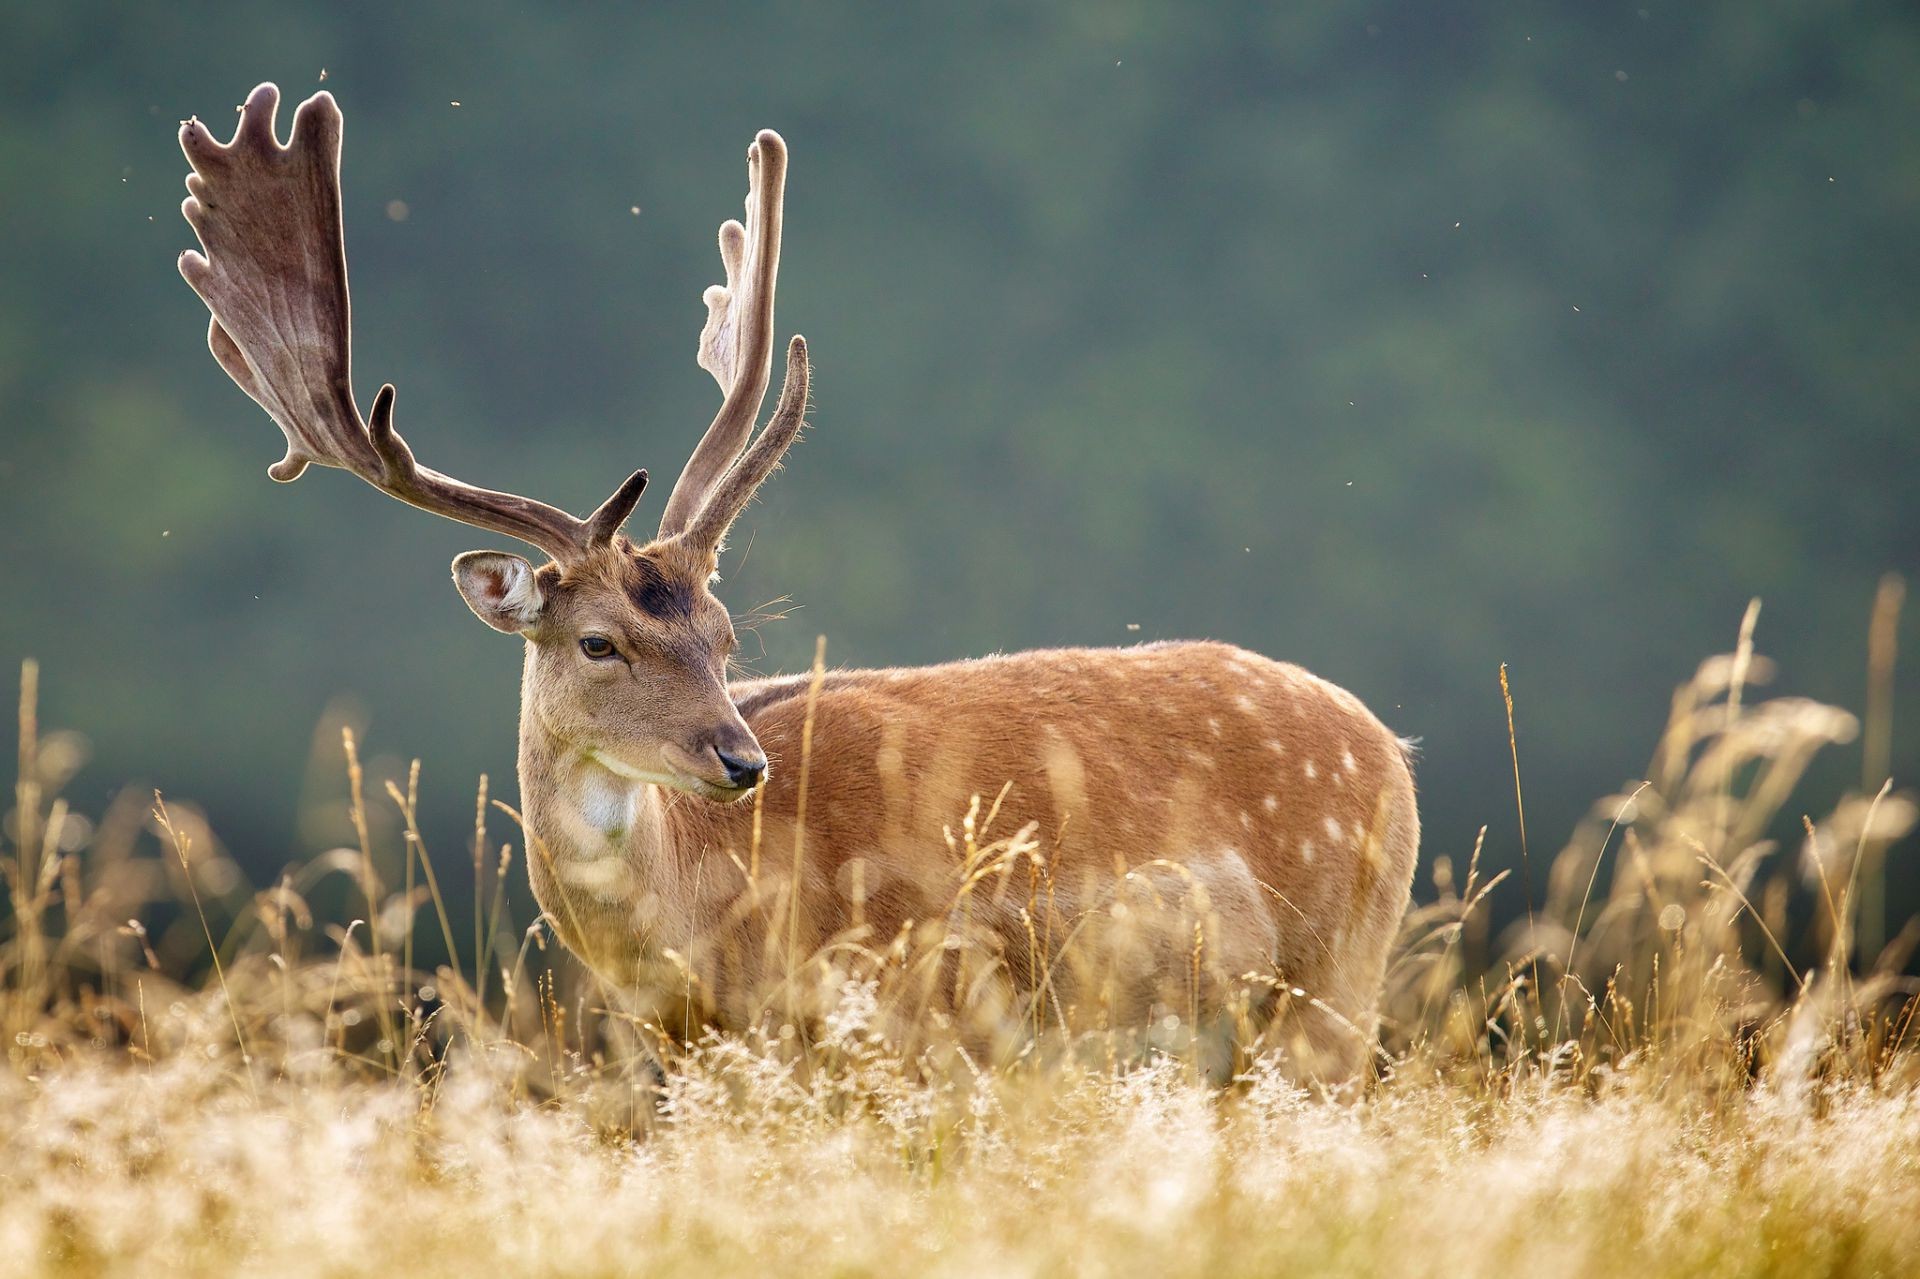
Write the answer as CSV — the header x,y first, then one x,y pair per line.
x,y
1683,1065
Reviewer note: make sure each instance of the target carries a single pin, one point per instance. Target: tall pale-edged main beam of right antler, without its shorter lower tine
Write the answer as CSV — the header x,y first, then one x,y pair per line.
x,y
738,339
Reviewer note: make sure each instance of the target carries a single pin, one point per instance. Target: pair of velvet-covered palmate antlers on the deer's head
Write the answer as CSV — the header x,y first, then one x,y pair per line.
x,y
276,278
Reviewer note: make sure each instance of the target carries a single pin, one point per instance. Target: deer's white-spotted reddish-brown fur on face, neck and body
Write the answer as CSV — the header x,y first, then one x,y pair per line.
x,y
1278,794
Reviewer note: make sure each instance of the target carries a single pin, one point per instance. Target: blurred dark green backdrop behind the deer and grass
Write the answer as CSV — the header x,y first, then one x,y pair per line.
x,y
1401,341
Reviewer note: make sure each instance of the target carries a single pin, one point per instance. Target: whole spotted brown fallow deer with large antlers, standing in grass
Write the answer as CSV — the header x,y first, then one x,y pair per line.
x,y
1253,823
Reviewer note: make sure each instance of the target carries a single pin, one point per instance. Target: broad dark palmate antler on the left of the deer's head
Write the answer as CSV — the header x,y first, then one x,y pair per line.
x,y
276,278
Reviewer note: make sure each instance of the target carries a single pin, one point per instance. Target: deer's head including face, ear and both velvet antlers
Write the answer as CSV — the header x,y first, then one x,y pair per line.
x,y
627,644
